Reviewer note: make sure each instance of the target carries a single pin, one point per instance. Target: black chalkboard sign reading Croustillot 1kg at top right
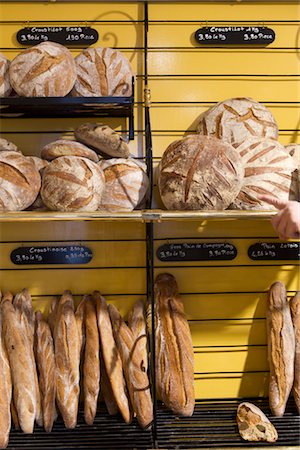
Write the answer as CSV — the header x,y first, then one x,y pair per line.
x,y
235,35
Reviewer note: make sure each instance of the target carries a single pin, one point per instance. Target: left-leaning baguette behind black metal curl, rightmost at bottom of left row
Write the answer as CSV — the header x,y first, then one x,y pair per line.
x,y
133,365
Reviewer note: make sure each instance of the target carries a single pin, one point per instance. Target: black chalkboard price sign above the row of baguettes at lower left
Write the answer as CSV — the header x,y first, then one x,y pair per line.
x,y
68,254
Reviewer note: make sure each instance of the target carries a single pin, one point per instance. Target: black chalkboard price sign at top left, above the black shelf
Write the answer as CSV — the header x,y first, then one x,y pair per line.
x,y
62,35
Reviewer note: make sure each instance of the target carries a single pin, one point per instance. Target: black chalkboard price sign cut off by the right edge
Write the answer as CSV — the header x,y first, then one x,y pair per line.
x,y
266,251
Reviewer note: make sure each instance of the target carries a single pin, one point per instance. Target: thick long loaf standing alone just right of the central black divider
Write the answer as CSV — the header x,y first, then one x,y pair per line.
x,y
174,348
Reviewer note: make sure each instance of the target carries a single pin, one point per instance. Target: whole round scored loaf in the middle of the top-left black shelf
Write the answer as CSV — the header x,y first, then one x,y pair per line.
x,y
45,70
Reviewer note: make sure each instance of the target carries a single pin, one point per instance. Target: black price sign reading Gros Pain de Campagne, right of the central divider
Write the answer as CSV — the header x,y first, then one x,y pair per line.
x,y
215,251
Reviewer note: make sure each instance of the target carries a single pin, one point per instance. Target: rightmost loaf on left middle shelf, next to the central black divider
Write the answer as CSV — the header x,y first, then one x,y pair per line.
x,y
126,184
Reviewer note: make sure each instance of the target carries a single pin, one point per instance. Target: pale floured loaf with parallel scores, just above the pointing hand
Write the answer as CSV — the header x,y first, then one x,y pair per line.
x,y
268,170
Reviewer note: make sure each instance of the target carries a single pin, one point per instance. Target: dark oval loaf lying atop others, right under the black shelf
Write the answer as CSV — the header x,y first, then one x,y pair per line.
x,y
103,139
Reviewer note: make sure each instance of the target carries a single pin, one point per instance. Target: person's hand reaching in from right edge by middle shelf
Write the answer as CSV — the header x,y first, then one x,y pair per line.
x,y
287,221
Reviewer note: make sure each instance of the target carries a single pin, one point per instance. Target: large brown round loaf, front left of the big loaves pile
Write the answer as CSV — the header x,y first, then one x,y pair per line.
x,y
199,172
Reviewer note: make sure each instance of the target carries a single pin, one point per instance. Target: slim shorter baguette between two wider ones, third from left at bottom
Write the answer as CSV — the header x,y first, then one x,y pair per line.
x,y
44,351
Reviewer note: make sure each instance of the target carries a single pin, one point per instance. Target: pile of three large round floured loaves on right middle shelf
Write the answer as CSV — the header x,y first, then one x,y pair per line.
x,y
234,157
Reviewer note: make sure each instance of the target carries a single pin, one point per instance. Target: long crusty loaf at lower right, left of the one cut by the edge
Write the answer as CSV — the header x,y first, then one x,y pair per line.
x,y
281,348
